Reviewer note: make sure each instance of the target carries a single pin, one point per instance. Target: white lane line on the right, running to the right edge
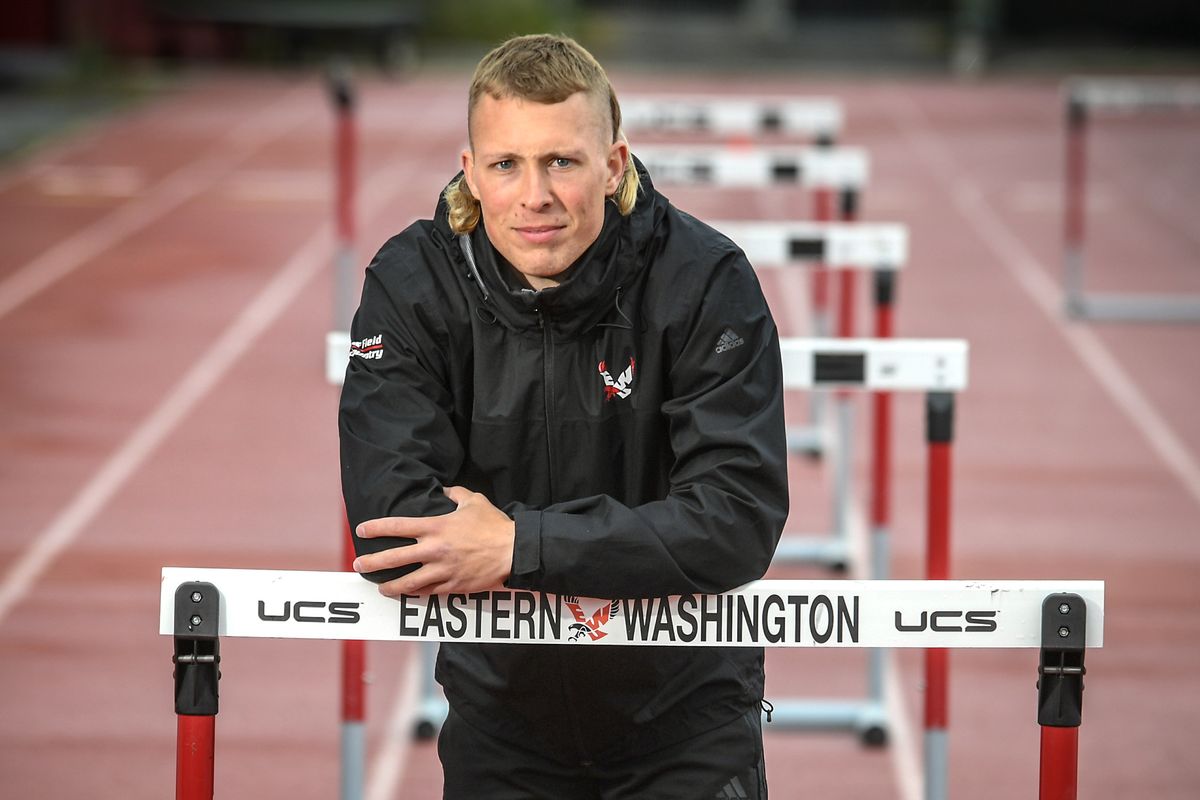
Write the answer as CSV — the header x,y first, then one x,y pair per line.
x,y
1033,278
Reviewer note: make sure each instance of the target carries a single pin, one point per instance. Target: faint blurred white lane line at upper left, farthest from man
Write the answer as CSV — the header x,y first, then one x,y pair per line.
x,y
69,255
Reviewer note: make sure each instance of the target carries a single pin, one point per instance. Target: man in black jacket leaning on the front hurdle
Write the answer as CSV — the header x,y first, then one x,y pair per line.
x,y
572,388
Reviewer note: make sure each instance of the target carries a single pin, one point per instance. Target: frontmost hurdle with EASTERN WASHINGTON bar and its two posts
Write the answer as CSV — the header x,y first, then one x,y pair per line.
x,y
199,606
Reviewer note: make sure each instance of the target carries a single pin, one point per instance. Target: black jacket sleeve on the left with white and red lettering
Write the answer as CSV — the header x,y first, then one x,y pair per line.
x,y
399,444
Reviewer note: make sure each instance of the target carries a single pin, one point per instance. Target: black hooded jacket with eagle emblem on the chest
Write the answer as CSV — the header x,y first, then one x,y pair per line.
x,y
629,419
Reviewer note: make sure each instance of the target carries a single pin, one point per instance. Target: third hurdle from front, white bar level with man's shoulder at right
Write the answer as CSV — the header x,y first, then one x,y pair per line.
x,y
883,249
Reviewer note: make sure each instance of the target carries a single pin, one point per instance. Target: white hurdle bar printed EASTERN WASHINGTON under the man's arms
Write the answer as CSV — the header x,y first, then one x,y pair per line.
x,y
309,605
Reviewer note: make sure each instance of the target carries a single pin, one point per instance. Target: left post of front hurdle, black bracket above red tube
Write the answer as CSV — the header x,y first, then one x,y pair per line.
x,y
197,671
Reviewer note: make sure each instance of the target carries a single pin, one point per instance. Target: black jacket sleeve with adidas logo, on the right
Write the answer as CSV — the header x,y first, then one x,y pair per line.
x,y
722,520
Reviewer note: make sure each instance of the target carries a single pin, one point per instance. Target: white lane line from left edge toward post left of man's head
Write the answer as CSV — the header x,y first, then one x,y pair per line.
x,y
303,267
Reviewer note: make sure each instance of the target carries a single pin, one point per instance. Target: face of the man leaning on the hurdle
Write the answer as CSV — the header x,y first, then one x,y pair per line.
x,y
542,173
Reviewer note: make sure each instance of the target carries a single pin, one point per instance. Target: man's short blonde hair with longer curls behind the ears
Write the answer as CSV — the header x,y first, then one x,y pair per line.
x,y
543,69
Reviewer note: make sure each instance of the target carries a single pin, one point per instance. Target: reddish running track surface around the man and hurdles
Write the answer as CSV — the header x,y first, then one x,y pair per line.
x,y
165,291
